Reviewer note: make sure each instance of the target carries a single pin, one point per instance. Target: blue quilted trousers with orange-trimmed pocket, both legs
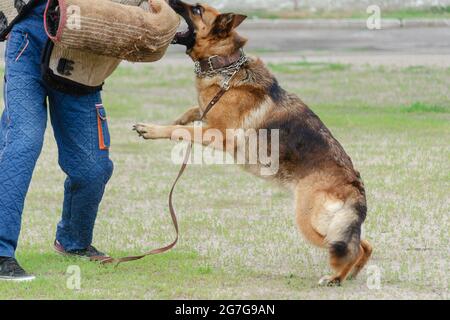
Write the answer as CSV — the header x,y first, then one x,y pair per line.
x,y
81,133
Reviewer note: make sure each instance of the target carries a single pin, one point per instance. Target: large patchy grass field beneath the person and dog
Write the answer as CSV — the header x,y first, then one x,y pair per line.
x,y
238,233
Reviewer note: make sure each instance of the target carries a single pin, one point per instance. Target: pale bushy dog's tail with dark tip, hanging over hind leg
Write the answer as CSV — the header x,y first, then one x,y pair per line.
x,y
344,232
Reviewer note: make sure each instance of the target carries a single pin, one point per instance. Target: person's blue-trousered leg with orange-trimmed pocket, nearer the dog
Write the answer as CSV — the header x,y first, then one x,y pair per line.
x,y
82,136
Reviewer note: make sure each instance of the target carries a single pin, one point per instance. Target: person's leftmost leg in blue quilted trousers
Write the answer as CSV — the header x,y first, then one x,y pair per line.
x,y
22,128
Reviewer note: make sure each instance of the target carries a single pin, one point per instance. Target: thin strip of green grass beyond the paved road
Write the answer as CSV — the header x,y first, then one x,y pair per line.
x,y
436,12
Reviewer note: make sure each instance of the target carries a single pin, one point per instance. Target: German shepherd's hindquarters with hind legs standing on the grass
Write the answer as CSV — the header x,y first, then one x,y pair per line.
x,y
331,223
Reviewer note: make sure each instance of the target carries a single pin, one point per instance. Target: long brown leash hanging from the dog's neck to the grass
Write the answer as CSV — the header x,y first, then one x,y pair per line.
x,y
225,86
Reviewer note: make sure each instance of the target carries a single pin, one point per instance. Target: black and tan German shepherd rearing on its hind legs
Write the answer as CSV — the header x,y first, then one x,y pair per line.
x,y
329,193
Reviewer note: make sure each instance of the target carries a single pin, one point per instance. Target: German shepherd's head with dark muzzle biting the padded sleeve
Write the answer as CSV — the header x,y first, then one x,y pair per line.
x,y
209,31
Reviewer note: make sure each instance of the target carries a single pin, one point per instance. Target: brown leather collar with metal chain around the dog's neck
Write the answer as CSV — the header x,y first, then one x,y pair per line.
x,y
214,65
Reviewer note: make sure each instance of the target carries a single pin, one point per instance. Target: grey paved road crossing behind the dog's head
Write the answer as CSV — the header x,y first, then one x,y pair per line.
x,y
284,40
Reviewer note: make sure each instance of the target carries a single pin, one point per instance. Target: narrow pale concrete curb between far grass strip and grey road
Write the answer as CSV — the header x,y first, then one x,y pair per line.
x,y
283,24
